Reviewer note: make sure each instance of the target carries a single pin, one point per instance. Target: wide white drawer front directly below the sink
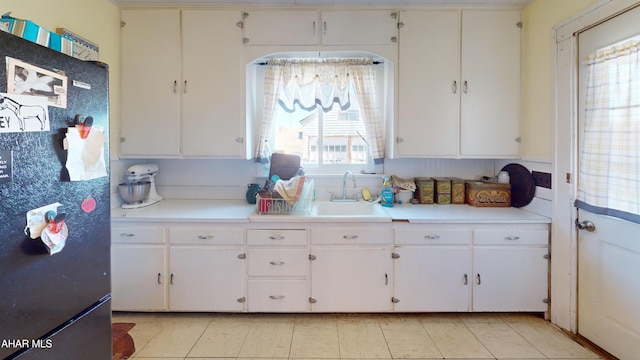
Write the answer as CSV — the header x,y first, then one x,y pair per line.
x,y
349,236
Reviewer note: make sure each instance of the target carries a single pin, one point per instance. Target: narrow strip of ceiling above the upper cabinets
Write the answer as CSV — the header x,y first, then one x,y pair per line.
x,y
343,3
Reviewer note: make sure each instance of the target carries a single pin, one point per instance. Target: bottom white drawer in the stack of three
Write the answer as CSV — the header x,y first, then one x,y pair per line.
x,y
277,295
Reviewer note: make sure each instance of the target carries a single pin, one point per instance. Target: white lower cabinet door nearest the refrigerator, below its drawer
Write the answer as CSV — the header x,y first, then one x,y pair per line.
x,y
138,277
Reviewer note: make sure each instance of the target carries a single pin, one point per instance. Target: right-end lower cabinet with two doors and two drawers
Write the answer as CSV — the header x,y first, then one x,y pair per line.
x,y
475,269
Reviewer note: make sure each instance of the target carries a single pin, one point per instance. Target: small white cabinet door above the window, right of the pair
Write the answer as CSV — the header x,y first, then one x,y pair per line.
x,y
377,27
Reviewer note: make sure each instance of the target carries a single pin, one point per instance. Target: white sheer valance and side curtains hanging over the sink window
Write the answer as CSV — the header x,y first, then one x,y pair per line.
x,y
320,82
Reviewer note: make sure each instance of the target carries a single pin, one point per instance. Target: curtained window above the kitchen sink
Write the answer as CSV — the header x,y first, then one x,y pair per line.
x,y
332,112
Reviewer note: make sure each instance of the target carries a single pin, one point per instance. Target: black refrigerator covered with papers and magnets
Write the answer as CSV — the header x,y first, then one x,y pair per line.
x,y
55,279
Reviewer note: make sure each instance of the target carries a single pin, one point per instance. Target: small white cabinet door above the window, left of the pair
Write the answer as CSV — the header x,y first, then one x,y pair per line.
x,y
269,27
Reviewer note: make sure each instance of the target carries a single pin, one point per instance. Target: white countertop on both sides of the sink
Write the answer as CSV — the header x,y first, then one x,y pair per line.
x,y
239,211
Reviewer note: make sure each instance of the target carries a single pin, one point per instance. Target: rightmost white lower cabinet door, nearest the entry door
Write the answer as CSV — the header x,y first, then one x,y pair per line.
x,y
510,278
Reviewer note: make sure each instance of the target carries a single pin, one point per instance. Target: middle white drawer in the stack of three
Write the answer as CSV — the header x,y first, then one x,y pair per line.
x,y
278,262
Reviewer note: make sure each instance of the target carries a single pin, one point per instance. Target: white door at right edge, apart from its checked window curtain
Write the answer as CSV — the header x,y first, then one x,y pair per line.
x,y
608,248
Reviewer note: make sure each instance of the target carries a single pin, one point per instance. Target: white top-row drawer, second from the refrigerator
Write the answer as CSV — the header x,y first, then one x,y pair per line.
x,y
206,236
